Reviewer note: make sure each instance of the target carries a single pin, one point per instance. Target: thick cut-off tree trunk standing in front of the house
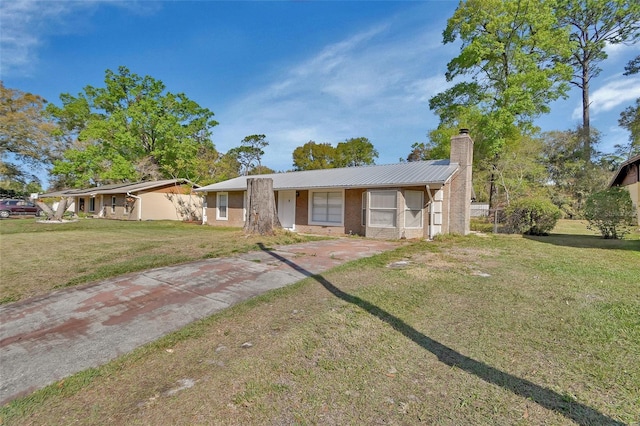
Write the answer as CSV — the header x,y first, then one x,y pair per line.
x,y
262,216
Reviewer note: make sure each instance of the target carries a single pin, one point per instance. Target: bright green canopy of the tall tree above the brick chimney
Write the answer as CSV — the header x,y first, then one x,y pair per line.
x,y
508,60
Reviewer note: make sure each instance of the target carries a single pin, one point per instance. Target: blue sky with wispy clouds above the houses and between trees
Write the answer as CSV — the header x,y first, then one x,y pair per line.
x,y
294,71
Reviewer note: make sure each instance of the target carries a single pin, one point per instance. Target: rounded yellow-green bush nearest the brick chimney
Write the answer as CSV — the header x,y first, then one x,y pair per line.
x,y
532,216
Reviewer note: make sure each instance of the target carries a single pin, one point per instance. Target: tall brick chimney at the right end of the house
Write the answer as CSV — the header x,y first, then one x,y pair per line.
x,y
460,204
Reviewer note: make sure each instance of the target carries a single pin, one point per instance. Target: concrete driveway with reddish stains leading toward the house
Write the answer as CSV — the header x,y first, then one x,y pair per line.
x,y
47,338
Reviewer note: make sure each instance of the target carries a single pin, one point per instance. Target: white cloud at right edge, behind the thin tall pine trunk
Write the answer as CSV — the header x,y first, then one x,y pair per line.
x,y
619,90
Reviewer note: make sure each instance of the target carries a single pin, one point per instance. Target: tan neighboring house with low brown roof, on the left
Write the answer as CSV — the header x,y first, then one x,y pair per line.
x,y
171,199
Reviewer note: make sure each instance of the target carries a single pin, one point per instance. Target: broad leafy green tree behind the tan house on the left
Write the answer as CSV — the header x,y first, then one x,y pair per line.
x,y
131,129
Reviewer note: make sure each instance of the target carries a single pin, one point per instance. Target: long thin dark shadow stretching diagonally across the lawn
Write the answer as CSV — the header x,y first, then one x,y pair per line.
x,y
547,398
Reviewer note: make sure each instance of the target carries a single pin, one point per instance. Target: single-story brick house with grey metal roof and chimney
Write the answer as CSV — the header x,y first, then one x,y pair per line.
x,y
405,200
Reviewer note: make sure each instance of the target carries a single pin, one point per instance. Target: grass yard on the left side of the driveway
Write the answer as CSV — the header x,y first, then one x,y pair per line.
x,y
36,258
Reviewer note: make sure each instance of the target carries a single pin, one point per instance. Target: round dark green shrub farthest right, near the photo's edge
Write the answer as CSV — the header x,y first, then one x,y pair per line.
x,y
610,212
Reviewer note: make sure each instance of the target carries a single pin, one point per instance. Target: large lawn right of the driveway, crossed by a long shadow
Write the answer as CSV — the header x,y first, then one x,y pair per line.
x,y
484,329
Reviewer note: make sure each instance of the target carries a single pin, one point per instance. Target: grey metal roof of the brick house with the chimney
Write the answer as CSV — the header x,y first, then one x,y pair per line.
x,y
435,172
